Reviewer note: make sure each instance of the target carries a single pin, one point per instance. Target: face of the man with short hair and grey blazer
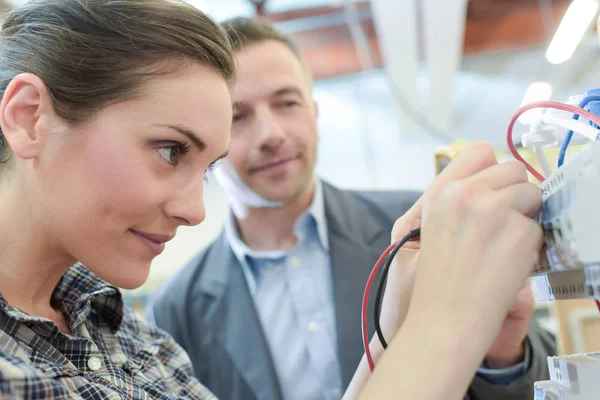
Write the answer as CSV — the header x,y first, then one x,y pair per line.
x,y
274,134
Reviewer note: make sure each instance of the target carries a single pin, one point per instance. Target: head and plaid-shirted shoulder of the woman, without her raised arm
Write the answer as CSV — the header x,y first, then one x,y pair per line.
x,y
111,113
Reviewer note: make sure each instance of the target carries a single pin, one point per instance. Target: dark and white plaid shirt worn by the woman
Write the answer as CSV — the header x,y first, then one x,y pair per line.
x,y
112,354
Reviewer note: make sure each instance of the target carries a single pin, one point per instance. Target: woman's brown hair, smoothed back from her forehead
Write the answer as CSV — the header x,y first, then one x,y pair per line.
x,y
93,53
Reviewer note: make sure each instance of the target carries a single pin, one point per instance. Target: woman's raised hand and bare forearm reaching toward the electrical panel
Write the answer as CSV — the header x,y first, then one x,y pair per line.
x,y
448,294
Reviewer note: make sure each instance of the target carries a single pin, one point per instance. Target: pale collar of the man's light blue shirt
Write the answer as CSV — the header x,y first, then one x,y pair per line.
x,y
316,210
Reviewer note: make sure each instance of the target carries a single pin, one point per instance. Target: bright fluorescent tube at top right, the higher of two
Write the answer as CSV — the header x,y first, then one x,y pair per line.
x,y
571,30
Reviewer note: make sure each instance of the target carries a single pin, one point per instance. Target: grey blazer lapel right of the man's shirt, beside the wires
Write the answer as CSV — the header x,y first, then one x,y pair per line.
x,y
355,240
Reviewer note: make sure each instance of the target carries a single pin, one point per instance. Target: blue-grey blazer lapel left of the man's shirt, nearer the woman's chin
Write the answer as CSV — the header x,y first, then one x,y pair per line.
x,y
235,323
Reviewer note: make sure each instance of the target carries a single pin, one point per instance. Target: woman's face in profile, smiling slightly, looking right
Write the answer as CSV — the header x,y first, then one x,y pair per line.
x,y
112,191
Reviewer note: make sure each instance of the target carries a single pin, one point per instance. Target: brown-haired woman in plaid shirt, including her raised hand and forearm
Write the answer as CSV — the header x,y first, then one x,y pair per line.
x,y
112,111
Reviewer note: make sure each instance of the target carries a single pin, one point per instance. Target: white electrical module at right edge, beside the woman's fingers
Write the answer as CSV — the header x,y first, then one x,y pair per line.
x,y
569,264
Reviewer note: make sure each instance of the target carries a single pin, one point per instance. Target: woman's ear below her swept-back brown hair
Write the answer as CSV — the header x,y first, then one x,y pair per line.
x,y
25,101
